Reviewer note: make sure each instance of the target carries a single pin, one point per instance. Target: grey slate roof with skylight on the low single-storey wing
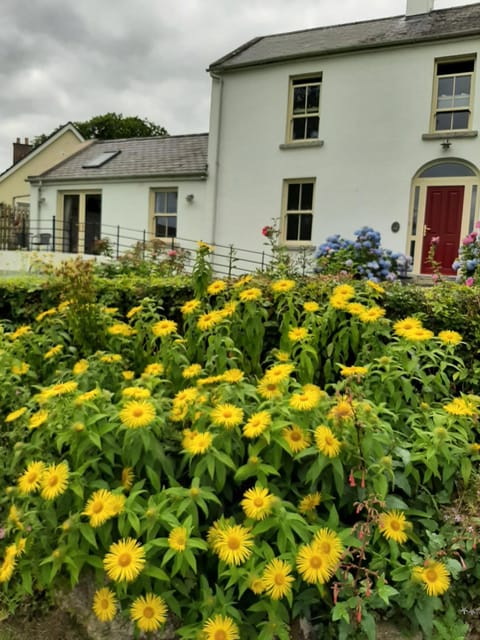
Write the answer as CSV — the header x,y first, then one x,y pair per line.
x,y
158,156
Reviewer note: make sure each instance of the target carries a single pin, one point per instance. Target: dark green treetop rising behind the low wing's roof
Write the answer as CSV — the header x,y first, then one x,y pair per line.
x,y
110,126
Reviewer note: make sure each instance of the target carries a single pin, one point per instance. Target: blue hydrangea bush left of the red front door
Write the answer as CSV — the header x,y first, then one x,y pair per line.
x,y
361,258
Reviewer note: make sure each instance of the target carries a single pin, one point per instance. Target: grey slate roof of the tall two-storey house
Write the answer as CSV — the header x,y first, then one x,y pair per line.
x,y
440,24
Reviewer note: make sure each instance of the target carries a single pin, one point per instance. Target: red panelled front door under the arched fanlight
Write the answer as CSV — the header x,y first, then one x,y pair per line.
x,y
443,221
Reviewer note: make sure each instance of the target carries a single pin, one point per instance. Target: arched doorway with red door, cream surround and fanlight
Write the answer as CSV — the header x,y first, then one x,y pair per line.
x,y
444,208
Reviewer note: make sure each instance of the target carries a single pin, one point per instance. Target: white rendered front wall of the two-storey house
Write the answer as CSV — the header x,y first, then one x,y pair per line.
x,y
374,108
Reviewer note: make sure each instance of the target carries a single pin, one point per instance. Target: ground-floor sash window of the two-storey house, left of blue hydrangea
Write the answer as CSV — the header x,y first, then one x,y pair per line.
x,y
298,211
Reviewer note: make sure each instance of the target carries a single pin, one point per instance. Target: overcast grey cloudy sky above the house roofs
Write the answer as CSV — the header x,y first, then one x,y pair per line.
x,y
67,60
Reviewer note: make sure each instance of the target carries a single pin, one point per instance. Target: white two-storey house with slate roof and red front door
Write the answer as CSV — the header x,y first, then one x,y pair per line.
x,y
329,129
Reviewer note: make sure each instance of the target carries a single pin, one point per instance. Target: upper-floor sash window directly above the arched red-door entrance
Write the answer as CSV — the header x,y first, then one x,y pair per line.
x,y
452,100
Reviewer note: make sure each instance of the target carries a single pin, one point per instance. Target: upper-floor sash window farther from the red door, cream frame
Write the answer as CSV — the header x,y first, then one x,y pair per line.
x,y
304,108
